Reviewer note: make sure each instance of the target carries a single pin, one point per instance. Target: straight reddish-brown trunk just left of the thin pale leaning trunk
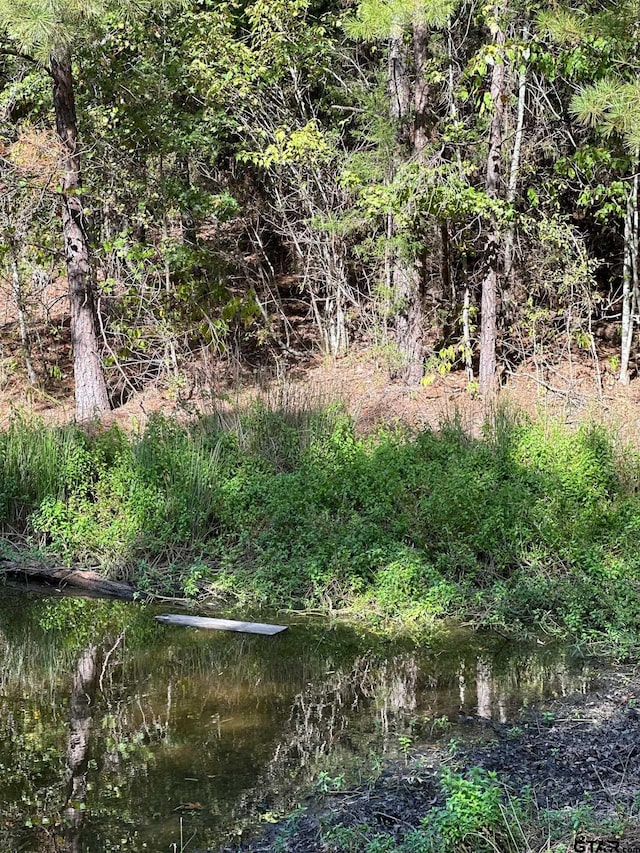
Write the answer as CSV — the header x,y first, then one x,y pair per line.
x,y
488,378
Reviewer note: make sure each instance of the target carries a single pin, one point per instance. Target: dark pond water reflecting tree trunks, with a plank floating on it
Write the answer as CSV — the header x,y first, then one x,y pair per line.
x,y
121,734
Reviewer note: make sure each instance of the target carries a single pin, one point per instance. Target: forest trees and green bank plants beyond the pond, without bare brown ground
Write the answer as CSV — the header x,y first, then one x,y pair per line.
x,y
188,187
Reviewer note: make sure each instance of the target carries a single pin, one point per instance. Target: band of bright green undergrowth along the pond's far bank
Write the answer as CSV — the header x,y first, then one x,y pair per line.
x,y
530,526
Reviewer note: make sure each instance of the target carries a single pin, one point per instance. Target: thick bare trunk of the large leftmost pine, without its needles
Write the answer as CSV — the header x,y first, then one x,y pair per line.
x,y
90,387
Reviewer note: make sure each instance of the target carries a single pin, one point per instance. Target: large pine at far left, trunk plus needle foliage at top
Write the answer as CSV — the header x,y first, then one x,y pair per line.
x,y
44,33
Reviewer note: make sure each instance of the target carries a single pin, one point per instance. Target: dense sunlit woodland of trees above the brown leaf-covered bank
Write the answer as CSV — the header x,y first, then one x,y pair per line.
x,y
452,183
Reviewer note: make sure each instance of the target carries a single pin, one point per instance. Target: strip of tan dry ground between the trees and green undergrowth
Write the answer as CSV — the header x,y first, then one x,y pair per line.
x,y
567,389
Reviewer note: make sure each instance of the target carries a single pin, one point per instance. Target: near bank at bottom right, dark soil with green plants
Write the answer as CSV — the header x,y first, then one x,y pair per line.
x,y
551,781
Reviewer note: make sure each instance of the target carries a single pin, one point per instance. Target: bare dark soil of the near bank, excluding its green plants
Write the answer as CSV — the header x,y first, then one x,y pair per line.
x,y
576,751
